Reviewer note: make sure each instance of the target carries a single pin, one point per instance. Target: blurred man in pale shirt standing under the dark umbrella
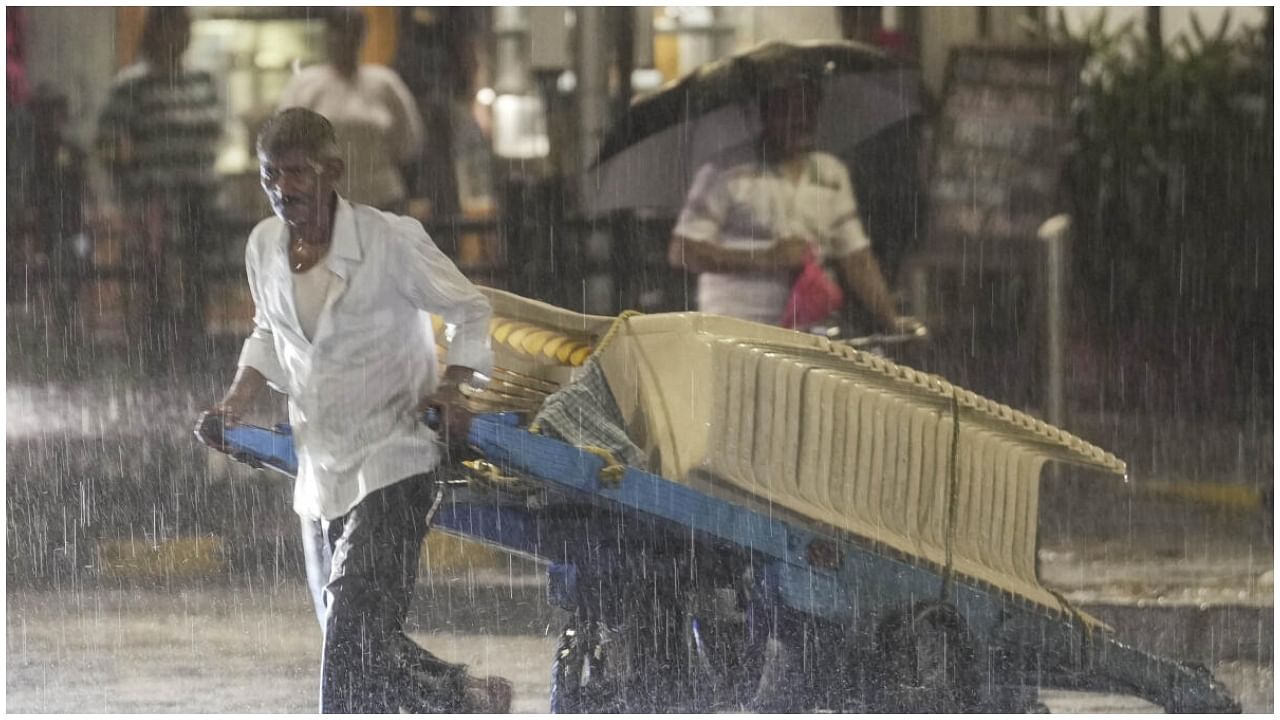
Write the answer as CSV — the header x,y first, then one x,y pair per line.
x,y
751,229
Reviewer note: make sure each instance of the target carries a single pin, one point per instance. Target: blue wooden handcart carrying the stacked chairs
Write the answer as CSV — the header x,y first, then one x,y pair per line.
x,y
683,601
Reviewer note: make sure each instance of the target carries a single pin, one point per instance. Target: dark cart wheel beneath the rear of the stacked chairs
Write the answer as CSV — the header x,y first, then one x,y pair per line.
x,y
926,662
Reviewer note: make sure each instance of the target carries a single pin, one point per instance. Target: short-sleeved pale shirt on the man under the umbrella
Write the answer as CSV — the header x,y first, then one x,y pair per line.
x,y
751,207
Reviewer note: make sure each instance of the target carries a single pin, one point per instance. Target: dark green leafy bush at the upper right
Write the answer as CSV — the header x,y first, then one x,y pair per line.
x,y
1172,175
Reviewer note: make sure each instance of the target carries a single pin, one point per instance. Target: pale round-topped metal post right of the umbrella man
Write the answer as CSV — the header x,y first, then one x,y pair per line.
x,y
1055,234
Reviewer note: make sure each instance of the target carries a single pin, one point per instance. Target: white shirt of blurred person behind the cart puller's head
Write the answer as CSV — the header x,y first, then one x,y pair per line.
x,y
377,121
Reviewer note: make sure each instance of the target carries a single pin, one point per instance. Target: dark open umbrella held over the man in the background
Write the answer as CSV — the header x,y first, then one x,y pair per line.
x,y
711,116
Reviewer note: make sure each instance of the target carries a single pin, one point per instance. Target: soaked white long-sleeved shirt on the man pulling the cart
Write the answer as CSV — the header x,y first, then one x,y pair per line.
x,y
354,388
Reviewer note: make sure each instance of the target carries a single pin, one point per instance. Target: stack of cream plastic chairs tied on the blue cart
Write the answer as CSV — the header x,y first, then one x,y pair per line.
x,y
838,436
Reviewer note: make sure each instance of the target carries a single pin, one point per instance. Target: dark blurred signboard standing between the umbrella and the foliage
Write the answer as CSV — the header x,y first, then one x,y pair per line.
x,y
999,158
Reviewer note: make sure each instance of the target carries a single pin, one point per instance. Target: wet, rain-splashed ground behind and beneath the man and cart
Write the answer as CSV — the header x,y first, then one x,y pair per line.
x,y
149,576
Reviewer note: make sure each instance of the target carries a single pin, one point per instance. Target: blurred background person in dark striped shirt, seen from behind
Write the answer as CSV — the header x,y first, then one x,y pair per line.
x,y
158,139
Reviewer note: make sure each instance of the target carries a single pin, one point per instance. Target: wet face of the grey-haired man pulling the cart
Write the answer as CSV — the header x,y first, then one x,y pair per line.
x,y
299,188
